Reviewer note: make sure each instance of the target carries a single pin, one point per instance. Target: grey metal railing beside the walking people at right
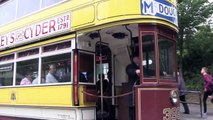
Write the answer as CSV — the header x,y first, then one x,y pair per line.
x,y
200,100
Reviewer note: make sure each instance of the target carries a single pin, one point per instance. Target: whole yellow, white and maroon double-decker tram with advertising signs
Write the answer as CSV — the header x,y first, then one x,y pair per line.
x,y
56,54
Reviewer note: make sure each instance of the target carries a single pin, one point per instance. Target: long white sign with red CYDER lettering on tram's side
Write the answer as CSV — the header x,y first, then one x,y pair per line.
x,y
50,27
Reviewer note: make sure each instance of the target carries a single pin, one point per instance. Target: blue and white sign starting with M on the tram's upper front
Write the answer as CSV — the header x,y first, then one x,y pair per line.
x,y
165,9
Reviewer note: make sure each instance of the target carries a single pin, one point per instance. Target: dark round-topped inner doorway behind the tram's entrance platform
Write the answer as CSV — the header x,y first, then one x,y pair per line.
x,y
103,67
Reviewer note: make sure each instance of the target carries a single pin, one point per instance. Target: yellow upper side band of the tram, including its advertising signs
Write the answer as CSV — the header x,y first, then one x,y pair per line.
x,y
83,14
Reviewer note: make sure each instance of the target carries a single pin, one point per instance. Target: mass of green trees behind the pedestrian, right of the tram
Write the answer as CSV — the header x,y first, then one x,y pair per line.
x,y
195,40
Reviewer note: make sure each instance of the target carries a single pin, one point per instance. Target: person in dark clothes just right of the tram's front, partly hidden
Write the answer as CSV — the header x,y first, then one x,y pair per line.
x,y
183,93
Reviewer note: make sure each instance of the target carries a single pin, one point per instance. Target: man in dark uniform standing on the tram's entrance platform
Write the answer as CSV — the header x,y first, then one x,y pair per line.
x,y
133,72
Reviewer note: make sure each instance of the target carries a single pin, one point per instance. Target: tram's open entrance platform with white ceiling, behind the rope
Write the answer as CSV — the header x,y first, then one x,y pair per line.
x,y
113,48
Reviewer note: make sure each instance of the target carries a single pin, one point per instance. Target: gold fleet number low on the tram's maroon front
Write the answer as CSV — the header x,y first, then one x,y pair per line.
x,y
171,113
